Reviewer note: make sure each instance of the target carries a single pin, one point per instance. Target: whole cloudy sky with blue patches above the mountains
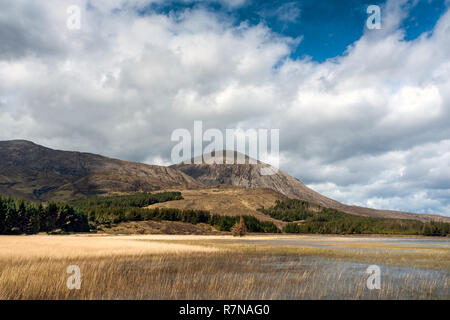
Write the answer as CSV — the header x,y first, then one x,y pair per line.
x,y
363,113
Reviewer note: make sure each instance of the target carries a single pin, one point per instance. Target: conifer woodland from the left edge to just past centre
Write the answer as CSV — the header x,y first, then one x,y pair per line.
x,y
18,216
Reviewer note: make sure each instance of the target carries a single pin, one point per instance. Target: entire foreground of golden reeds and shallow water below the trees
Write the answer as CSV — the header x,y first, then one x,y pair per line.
x,y
222,267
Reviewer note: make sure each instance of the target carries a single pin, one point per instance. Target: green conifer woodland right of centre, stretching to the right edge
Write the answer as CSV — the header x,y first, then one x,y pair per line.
x,y
330,221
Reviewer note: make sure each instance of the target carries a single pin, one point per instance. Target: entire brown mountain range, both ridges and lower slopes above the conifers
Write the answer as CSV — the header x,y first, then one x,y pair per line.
x,y
34,172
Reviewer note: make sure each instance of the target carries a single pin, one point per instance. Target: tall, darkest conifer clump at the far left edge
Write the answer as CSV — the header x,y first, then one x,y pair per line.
x,y
19,217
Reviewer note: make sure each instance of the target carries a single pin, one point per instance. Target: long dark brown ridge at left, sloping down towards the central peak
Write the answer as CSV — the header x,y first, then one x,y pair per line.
x,y
34,172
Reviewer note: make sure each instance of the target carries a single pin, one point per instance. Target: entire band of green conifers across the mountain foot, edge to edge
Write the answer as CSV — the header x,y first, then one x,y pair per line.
x,y
19,217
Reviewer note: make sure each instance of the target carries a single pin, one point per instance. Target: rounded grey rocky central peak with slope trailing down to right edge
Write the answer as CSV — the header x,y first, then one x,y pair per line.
x,y
248,175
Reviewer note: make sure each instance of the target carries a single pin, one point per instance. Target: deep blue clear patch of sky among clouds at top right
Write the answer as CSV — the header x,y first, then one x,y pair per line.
x,y
326,27
